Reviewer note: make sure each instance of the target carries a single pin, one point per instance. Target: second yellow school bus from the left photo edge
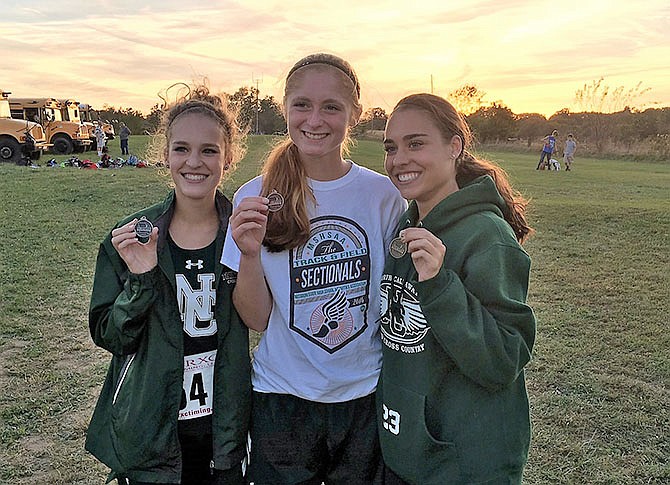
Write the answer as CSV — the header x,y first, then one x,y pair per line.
x,y
65,137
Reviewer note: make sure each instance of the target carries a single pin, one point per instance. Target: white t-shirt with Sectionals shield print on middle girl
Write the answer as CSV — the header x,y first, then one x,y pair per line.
x,y
322,342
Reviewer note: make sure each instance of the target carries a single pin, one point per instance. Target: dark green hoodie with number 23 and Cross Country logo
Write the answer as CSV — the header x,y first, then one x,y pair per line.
x,y
453,407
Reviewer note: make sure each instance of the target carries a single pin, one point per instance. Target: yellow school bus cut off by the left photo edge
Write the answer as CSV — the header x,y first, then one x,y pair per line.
x,y
20,141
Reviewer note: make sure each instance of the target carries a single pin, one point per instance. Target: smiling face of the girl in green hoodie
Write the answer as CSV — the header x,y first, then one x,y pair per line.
x,y
419,161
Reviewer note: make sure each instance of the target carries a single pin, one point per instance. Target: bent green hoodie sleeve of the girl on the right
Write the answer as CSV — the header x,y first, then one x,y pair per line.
x,y
490,330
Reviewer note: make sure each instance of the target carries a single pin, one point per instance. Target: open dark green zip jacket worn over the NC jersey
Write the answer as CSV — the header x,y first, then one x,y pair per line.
x,y
135,317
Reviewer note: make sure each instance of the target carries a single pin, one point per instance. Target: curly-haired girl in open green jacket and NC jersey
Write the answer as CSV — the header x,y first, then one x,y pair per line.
x,y
175,404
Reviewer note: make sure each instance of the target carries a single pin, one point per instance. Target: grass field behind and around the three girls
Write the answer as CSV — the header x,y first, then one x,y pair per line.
x,y
600,285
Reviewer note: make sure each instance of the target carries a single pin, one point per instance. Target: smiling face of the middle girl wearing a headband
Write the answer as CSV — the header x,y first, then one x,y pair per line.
x,y
319,112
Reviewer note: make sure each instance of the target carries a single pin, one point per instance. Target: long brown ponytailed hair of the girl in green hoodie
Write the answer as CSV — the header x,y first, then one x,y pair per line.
x,y
468,167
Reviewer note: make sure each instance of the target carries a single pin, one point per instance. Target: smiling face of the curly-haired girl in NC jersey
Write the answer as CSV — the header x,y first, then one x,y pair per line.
x,y
196,154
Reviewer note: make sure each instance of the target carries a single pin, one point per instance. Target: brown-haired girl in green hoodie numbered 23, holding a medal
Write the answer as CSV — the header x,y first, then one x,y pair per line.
x,y
456,329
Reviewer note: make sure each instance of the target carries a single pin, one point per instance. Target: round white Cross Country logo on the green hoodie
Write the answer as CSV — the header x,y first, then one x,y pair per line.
x,y
403,324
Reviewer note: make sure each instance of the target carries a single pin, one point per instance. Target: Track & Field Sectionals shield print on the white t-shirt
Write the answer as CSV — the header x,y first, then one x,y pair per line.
x,y
330,283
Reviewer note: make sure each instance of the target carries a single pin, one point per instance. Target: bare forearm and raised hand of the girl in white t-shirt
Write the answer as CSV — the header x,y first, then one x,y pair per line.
x,y
251,297
